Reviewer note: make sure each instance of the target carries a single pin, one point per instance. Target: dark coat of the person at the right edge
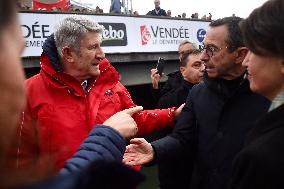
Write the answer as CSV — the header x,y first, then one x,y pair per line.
x,y
261,163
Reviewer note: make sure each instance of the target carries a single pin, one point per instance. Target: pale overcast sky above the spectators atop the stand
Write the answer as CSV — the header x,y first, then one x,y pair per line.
x,y
241,8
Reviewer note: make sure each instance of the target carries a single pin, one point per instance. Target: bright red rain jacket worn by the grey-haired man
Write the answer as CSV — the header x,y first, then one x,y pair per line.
x,y
59,114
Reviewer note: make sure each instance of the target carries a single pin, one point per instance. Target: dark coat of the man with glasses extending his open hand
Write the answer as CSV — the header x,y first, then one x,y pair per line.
x,y
212,127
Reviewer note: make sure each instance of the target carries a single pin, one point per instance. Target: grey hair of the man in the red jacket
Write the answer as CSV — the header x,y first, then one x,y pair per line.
x,y
71,30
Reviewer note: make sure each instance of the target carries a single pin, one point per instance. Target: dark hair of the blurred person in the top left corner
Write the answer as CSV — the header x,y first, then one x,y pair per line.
x,y
7,12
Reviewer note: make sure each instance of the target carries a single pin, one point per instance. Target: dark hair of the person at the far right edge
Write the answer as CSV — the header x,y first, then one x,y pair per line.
x,y
263,30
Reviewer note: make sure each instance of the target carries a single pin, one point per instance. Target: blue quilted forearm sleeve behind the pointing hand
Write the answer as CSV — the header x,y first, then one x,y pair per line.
x,y
103,144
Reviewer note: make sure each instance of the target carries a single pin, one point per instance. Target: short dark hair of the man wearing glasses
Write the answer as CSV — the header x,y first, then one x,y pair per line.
x,y
235,39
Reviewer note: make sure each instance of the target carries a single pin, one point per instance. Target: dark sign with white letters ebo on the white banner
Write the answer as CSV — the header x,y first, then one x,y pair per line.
x,y
114,34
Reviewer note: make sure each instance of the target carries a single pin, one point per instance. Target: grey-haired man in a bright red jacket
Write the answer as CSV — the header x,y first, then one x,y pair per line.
x,y
76,89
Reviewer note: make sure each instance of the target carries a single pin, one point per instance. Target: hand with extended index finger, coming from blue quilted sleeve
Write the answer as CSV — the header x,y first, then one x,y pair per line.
x,y
123,122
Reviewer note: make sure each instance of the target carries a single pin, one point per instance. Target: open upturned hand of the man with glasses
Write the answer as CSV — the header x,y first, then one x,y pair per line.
x,y
139,152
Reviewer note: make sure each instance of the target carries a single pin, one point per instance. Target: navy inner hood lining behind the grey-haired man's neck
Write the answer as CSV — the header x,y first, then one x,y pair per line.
x,y
49,48
